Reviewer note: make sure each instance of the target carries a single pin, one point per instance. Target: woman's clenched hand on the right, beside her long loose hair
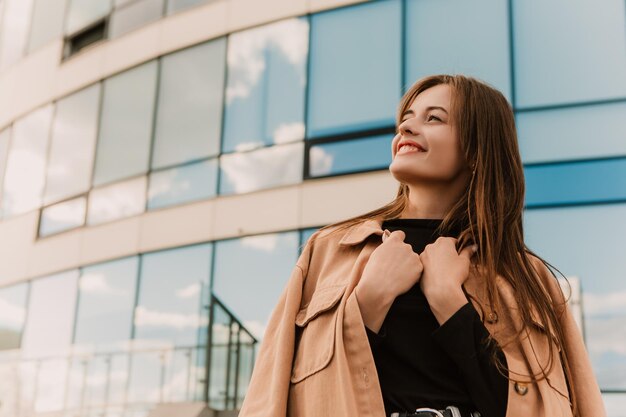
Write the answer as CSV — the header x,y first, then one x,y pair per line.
x,y
445,271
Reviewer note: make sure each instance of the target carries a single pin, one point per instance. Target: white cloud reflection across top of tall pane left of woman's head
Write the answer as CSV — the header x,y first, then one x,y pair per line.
x,y
246,52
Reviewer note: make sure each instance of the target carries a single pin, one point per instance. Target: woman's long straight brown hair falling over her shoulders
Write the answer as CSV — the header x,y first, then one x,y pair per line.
x,y
490,210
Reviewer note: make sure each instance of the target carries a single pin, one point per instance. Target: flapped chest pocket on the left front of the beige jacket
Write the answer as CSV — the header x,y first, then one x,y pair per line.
x,y
315,333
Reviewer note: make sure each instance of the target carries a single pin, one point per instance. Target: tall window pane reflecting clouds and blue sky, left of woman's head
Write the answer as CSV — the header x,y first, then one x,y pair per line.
x,y
266,81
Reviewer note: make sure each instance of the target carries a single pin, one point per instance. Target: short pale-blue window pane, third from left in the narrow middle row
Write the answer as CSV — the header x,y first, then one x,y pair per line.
x,y
183,184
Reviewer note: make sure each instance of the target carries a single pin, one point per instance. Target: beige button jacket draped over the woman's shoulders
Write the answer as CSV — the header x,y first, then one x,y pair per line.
x,y
315,359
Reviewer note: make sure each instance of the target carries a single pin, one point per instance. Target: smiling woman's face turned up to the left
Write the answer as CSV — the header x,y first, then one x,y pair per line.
x,y
442,161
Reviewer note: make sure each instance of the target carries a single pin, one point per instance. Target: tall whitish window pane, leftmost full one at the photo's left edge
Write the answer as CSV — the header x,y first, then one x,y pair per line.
x,y
24,179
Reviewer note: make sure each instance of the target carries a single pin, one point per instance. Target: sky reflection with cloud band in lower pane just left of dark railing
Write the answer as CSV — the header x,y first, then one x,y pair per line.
x,y
172,296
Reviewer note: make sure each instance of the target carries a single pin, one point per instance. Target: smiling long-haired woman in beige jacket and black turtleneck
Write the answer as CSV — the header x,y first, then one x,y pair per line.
x,y
450,312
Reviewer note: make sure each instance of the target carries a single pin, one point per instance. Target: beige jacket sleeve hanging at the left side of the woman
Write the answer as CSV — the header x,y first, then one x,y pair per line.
x,y
269,385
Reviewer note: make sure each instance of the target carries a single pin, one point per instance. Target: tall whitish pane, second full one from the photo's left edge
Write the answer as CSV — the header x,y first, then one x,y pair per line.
x,y
70,162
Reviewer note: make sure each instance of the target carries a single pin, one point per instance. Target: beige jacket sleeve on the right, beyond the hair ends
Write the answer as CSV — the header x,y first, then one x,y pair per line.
x,y
584,383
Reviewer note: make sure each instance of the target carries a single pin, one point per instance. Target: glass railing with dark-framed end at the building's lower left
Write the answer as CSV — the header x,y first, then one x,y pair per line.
x,y
132,380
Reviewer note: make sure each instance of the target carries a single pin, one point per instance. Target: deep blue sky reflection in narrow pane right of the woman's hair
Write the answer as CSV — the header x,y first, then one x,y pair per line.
x,y
576,182
